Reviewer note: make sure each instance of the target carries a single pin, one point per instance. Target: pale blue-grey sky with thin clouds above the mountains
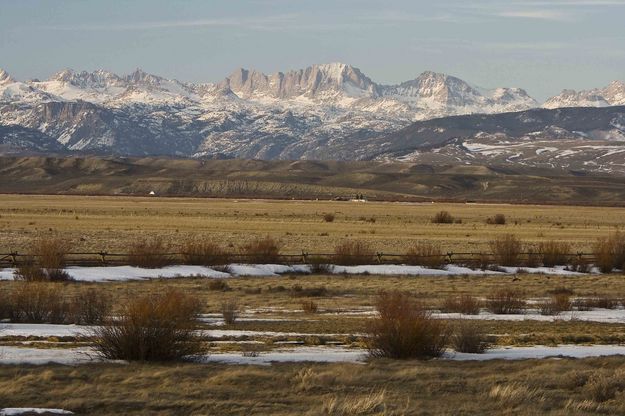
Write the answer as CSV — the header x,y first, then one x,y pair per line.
x,y
543,46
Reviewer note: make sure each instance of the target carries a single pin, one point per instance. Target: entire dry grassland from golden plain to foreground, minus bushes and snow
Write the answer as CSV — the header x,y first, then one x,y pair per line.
x,y
343,306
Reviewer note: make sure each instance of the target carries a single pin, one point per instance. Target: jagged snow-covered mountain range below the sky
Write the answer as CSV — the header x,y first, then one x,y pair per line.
x,y
328,111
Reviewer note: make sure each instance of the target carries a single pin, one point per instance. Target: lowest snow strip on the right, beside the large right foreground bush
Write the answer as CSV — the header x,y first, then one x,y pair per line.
x,y
539,351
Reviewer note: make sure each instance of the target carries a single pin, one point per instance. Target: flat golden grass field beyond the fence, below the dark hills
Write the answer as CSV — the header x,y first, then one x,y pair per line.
x,y
112,223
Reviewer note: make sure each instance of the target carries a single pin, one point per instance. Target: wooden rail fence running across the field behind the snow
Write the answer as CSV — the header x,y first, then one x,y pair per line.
x,y
103,258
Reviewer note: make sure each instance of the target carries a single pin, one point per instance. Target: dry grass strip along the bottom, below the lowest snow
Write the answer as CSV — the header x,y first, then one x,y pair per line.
x,y
380,387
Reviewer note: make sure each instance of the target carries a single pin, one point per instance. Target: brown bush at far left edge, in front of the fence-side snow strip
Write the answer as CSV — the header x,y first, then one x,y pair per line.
x,y
37,302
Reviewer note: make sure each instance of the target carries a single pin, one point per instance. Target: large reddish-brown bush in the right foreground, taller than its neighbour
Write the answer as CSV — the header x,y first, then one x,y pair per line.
x,y
404,329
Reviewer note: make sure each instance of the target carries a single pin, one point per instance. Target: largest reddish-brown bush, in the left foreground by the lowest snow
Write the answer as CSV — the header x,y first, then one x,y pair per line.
x,y
158,327
